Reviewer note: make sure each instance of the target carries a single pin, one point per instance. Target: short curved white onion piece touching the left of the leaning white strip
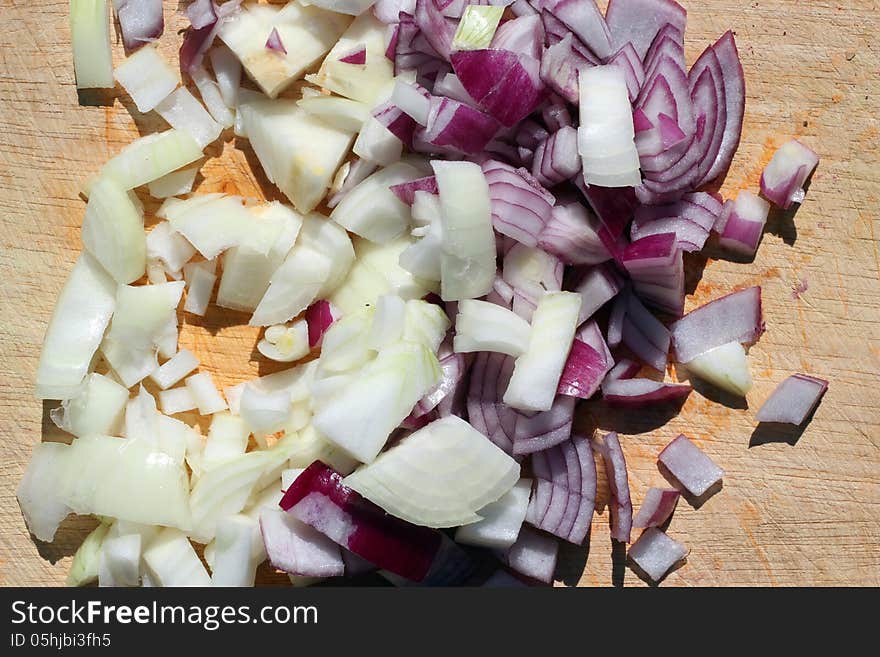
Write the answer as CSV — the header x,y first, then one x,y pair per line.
x,y
484,326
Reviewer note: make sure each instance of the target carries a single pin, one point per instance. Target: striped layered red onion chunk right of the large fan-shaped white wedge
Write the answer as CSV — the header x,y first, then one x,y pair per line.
x,y
565,490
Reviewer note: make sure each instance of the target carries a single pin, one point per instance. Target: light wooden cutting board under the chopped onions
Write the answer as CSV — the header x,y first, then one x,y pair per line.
x,y
797,508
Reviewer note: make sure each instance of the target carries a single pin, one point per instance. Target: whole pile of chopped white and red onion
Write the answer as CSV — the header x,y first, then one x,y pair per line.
x,y
488,211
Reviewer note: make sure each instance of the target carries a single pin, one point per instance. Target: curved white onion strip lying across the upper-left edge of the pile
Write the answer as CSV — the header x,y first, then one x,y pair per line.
x,y
151,157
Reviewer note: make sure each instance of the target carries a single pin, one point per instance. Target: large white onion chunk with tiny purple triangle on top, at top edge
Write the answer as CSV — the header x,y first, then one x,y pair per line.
x,y
306,32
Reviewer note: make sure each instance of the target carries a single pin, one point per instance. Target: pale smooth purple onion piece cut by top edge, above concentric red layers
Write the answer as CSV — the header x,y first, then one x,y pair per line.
x,y
638,21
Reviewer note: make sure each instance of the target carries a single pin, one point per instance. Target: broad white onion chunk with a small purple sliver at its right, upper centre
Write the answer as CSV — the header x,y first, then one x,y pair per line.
x,y
372,210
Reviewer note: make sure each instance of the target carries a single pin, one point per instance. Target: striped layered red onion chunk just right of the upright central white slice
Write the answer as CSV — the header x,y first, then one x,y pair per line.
x,y
520,205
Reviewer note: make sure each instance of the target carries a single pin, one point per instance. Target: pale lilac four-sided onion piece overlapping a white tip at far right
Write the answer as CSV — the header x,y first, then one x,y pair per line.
x,y
735,317
